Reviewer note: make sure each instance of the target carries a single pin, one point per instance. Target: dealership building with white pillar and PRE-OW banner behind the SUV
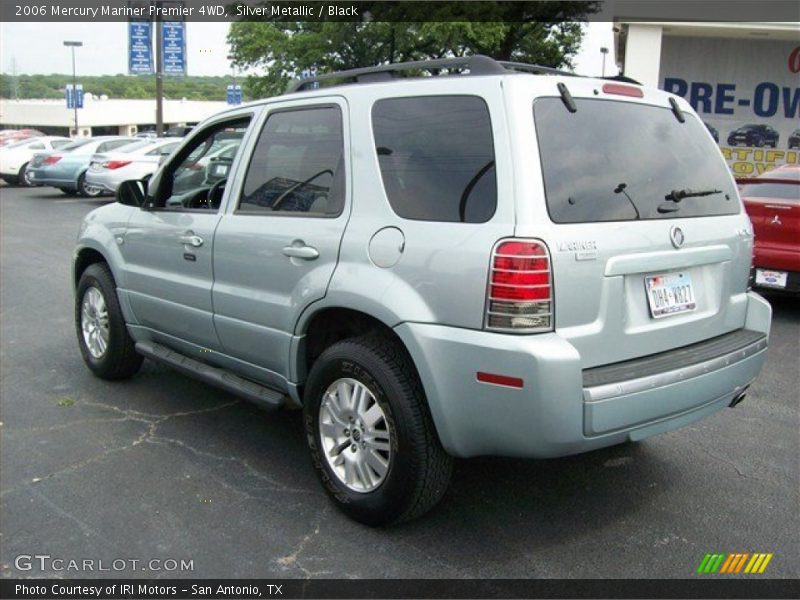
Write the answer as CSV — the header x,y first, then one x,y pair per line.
x,y
743,79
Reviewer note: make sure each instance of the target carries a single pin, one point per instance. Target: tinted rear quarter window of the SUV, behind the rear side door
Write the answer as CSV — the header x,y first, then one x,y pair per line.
x,y
436,157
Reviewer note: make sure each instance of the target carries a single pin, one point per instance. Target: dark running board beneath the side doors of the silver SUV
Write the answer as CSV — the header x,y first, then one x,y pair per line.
x,y
258,394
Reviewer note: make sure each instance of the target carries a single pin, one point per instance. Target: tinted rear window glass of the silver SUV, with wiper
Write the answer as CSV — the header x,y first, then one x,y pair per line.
x,y
619,161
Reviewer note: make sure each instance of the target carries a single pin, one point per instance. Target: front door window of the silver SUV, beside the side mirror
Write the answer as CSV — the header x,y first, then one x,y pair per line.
x,y
195,179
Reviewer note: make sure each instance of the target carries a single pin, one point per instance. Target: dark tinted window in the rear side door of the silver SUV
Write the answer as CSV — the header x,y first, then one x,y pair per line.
x,y
298,164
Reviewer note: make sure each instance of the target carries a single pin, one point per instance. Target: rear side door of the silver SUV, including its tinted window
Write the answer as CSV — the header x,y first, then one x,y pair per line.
x,y
276,250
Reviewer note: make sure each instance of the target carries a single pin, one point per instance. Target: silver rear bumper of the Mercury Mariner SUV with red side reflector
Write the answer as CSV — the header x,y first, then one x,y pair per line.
x,y
562,409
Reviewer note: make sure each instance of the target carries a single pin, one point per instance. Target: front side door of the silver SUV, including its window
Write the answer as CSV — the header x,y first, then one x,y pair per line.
x,y
168,245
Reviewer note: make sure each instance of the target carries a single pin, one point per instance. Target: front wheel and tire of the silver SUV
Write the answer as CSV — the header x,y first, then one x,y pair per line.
x,y
103,338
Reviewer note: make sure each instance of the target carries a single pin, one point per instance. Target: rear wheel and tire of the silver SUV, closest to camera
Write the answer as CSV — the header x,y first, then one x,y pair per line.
x,y
389,427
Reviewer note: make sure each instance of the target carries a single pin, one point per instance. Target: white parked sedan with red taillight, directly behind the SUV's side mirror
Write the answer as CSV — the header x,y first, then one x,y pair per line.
x,y
133,161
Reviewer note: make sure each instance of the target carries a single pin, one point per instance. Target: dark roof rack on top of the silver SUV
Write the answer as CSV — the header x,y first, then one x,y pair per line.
x,y
477,64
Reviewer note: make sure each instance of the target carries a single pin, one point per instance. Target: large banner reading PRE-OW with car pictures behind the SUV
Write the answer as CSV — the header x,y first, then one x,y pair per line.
x,y
747,91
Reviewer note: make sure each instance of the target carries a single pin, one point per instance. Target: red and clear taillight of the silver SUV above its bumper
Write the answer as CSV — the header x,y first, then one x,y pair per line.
x,y
520,288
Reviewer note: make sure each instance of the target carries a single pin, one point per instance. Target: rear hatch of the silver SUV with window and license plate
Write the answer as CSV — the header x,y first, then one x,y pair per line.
x,y
650,247
